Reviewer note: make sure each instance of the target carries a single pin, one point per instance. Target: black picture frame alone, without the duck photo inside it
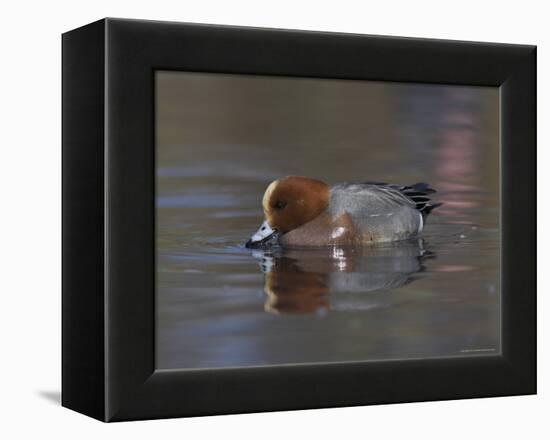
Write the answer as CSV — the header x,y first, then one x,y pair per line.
x,y
109,215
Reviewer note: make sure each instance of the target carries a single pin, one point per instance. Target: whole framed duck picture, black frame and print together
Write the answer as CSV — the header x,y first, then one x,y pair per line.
x,y
262,219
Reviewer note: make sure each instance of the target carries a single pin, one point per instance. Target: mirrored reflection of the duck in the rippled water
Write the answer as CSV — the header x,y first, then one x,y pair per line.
x,y
307,280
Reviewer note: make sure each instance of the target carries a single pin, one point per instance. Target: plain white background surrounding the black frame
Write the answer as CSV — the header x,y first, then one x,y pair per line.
x,y
30,217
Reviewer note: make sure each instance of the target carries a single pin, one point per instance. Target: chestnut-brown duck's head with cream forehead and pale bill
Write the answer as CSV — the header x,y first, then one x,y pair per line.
x,y
289,203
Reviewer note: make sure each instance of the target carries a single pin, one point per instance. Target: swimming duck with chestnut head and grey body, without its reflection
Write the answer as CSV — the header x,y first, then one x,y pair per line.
x,y
303,211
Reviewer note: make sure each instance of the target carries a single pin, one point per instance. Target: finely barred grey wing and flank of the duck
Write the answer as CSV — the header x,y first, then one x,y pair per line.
x,y
382,211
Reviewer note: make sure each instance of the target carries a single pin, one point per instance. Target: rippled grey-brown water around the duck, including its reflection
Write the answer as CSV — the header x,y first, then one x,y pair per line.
x,y
222,138
